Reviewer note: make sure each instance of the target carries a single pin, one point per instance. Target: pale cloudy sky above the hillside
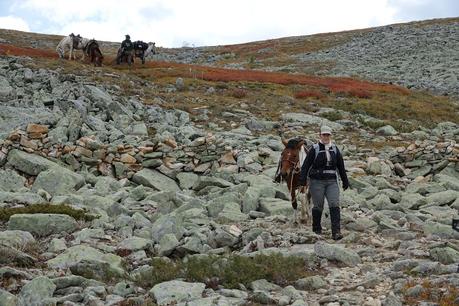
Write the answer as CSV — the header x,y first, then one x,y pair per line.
x,y
175,23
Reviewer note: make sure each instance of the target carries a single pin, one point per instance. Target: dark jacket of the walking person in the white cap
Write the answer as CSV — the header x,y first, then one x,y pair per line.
x,y
314,167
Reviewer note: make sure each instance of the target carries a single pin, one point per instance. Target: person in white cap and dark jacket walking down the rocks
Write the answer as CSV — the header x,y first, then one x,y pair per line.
x,y
322,165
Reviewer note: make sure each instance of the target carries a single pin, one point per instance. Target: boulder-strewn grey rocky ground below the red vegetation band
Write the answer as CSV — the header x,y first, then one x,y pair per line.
x,y
140,182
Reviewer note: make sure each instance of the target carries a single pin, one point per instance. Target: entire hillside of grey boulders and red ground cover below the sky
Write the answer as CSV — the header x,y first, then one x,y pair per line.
x,y
153,184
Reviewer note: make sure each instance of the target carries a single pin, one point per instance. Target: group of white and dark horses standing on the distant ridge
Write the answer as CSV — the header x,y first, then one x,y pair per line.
x,y
91,49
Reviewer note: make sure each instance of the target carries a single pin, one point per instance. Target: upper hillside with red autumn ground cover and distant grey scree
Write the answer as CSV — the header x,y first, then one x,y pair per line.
x,y
294,74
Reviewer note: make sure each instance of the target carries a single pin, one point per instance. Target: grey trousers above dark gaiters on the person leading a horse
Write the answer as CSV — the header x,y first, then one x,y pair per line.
x,y
321,189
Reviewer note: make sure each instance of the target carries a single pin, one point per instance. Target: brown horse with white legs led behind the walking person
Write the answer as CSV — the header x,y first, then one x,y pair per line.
x,y
292,158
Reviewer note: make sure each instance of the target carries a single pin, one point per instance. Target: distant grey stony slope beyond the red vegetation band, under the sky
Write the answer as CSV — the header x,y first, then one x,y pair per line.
x,y
422,55
